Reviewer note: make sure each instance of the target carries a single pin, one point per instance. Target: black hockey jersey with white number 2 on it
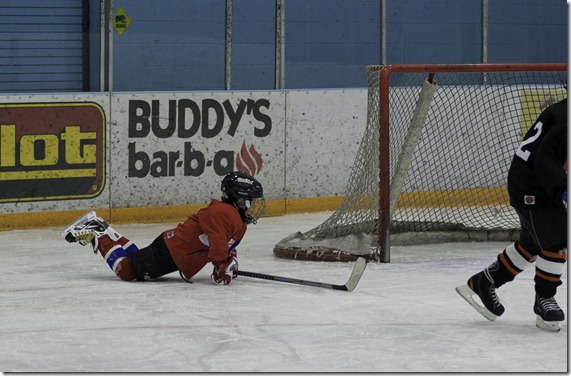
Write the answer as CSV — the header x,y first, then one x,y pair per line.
x,y
538,173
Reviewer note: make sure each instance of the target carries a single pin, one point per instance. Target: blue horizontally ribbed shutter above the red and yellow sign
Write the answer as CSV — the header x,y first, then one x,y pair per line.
x,y
39,52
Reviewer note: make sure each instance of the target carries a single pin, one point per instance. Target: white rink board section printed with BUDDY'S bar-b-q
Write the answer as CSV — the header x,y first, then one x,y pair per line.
x,y
175,148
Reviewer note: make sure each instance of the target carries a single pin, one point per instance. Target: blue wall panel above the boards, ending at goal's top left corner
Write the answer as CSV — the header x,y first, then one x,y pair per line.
x,y
329,43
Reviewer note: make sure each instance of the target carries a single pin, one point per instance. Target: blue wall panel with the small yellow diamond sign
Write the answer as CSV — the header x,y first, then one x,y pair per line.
x,y
170,45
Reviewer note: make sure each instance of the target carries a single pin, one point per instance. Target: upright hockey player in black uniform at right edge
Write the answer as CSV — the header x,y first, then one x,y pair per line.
x,y
537,185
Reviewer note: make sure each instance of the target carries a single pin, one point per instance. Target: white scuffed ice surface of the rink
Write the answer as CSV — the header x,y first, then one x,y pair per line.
x,y
63,310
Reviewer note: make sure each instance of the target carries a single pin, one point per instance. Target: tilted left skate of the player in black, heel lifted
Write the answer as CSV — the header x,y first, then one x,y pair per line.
x,y
482,285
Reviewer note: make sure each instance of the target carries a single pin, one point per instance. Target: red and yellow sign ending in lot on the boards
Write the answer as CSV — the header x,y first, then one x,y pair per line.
x,y
51,151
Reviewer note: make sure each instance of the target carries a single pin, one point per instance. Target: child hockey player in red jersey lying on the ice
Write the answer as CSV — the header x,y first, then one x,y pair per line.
x,y
210,235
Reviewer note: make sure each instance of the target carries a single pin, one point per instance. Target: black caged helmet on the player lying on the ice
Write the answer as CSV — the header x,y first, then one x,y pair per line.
x,y
245,193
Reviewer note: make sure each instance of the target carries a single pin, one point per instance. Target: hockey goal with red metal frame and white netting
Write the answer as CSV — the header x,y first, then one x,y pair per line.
x,y
433,160
